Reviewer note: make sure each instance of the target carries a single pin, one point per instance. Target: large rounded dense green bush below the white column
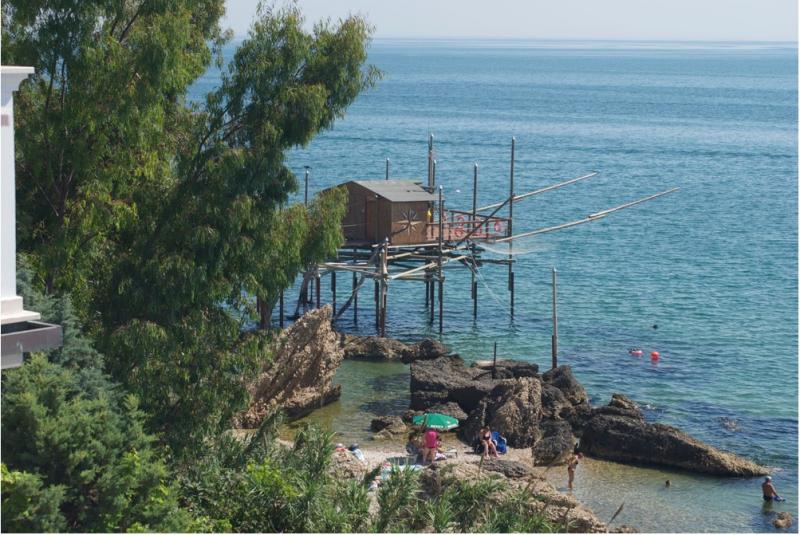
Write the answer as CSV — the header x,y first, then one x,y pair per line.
x,y
82,443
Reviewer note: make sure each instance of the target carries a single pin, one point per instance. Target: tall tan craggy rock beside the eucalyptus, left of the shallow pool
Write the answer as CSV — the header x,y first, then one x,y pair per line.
x,y
299,376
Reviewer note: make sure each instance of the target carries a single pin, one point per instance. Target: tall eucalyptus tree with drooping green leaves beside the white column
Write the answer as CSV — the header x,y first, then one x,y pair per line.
x,y
158,216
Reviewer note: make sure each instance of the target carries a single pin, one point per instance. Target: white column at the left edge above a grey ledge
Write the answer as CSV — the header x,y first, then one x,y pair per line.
x,y
11,309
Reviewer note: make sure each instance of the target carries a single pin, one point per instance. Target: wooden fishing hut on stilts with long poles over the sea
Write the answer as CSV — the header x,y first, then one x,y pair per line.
x,y
401,230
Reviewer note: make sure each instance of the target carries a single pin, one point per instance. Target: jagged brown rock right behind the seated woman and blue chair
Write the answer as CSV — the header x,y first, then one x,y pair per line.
x,y
513,408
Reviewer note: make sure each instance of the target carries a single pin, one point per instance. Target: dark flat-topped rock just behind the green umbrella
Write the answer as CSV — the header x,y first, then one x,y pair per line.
x,y
446,379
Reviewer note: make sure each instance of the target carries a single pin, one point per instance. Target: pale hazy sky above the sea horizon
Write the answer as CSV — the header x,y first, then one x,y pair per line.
x,y
724,20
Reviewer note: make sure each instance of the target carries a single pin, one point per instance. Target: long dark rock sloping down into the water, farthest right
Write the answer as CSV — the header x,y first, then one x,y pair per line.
x,y
619,433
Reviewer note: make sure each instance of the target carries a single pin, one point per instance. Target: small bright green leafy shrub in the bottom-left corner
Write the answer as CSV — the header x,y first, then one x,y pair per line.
x,y
29,505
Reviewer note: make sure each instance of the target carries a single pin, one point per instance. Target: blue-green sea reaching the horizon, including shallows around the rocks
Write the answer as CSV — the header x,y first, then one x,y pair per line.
x,y
706,276
